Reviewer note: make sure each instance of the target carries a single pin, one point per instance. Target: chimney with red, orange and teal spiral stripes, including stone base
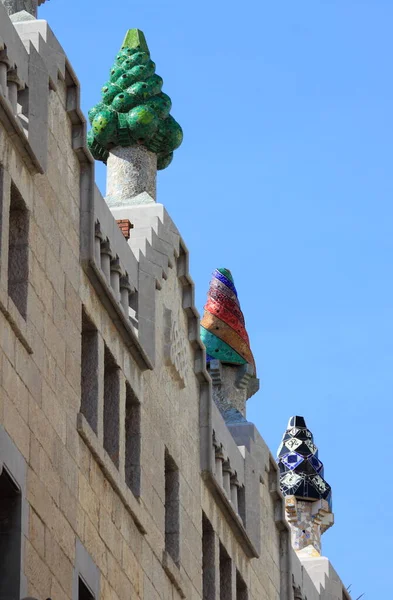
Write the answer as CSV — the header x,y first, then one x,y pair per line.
x,y
228,352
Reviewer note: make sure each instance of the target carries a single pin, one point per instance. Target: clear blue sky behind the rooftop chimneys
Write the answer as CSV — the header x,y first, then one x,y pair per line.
x,y
285,177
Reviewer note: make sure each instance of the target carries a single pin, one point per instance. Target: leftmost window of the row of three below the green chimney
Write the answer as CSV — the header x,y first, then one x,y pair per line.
x,y
89,372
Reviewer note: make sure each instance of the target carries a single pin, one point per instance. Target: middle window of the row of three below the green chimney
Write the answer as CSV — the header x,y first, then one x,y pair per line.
x,y
111,407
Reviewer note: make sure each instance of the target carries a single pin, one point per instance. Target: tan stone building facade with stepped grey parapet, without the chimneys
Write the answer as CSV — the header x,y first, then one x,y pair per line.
x,y
120,476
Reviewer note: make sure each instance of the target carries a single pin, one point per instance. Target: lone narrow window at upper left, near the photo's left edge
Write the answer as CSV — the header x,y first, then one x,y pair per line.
x,y
18,251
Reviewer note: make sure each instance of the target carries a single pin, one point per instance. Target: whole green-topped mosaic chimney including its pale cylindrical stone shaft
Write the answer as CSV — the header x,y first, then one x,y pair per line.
x,y
132,130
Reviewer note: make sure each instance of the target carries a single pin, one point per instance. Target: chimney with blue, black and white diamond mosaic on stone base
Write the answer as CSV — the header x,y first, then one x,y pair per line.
x,y
308,497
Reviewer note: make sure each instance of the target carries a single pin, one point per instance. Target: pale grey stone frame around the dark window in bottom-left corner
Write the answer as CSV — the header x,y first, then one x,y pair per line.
x,y
12,460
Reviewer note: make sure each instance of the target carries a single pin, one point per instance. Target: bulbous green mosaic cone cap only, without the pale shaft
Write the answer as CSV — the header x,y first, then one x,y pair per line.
x,y
133,109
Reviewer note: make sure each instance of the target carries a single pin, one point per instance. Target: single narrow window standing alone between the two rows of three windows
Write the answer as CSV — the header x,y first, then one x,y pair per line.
x,y
172,516
